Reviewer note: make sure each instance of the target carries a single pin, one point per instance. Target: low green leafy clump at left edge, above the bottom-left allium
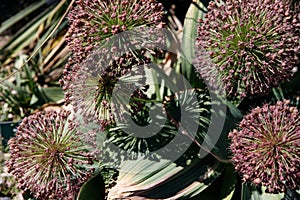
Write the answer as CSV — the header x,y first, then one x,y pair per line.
x,y
21,94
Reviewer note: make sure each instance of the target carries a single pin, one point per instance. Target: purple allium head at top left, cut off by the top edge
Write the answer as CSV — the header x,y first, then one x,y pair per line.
x,y
94,23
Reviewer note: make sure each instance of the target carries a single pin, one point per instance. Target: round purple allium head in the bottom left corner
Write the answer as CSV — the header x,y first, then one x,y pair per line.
x,y
48,156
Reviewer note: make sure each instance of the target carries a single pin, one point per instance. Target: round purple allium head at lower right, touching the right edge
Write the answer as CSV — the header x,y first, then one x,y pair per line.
x,y
266,147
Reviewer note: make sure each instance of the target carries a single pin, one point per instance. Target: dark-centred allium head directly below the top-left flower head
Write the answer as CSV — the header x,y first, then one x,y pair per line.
x,y
95,81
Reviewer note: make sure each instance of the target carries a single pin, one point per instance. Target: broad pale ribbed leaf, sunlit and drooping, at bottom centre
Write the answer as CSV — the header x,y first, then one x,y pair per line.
x,y
164,179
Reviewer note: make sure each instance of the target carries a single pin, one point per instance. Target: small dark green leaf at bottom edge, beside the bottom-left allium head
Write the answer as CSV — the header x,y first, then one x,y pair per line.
x,y
93,189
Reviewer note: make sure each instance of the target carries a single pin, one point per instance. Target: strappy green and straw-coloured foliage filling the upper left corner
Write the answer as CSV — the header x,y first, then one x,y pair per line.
x,y
28,82
